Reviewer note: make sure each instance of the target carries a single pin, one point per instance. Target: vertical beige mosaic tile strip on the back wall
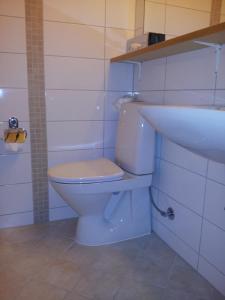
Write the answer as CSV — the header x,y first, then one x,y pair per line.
x,y
37,108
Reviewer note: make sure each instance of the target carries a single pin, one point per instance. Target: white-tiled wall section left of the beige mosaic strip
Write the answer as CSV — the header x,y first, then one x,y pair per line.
x,y
16,205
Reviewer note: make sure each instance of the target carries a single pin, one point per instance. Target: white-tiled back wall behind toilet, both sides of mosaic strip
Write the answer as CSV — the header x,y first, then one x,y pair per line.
x,y
81,88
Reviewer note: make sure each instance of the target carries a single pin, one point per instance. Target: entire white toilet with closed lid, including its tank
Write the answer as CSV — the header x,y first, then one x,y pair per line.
x,y
112,200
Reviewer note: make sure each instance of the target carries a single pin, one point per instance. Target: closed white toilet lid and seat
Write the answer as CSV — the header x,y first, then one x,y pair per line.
x,y
86,171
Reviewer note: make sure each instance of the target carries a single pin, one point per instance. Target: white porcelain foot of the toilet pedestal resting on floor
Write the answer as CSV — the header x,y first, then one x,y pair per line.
x,y
131,219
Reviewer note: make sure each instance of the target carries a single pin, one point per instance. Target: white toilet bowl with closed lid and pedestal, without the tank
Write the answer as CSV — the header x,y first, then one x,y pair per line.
x,y
107,205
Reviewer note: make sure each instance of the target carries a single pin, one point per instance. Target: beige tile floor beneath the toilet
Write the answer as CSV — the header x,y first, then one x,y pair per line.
x,y
41,262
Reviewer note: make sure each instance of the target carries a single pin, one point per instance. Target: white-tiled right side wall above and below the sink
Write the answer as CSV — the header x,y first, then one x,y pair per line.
x,y
191,184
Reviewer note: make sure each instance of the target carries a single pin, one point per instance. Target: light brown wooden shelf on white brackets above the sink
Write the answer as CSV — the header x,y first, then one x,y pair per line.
x,y
180,44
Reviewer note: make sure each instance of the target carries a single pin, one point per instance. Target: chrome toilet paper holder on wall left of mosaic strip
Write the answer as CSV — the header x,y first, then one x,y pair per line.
x,y
14,134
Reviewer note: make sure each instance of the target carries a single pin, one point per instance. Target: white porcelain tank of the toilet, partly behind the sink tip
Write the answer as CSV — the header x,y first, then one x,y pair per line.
x,y
135,144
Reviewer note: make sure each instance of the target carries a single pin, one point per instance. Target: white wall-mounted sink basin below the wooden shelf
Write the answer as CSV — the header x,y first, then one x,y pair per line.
x,y
200,130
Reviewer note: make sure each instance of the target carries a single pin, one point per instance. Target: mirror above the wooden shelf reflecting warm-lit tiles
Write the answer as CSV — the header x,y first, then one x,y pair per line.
x,y
176,17
